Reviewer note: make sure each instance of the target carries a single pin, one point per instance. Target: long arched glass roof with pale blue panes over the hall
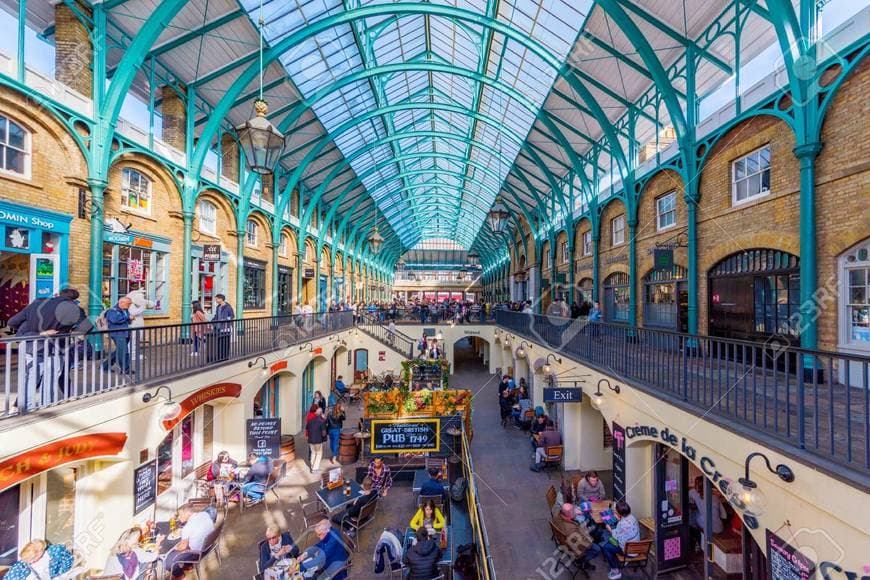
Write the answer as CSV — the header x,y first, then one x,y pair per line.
x,y
463,135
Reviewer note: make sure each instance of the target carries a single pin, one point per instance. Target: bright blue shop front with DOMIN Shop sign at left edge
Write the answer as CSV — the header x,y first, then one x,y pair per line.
x,y
34,254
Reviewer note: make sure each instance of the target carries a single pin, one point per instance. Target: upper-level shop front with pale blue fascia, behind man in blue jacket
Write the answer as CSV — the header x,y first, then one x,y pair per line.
x,y
136,261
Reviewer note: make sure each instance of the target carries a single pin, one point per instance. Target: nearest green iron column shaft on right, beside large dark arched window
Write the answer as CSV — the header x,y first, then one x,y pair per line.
x,y
807,154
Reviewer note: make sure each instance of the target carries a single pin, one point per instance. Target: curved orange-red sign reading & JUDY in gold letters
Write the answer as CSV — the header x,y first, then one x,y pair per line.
x,y
25,465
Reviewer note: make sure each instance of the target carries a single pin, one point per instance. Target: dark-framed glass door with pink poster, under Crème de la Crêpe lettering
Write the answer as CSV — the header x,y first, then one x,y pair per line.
x,y
671,509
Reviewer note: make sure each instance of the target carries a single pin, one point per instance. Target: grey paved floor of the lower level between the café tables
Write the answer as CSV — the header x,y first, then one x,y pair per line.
x,y
512,497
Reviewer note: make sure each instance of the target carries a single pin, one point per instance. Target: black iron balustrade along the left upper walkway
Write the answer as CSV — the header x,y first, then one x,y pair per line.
x,y
40,372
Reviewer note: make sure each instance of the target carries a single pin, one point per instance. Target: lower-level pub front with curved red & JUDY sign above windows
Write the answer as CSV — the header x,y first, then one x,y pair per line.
x,y
44,492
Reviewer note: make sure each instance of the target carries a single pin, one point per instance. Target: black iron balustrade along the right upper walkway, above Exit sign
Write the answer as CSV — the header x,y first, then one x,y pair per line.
x,y
814,400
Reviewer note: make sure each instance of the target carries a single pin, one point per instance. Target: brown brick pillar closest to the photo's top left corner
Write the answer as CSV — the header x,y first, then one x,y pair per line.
x,y
74,52
